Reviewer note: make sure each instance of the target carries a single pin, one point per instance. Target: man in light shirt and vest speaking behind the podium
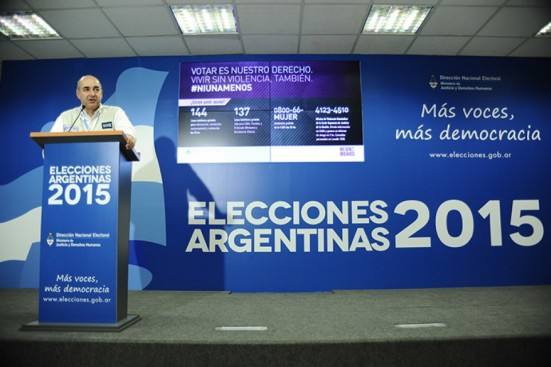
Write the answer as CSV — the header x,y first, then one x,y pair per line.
x,y
92,115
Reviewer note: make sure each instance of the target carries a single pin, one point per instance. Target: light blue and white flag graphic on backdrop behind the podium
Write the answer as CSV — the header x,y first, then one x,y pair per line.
x,y
21,198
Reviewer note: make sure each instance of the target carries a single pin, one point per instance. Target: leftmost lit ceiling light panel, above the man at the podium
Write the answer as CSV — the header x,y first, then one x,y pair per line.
x,y
26,26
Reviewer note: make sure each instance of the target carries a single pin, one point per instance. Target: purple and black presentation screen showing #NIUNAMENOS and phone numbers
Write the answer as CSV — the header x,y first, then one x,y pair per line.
x,y
270,111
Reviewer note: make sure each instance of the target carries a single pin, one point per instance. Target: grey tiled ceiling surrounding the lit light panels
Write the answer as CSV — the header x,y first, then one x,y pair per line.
x,y
120,28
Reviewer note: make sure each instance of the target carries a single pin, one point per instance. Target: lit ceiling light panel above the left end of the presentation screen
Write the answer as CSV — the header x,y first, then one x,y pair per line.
x,y
205,19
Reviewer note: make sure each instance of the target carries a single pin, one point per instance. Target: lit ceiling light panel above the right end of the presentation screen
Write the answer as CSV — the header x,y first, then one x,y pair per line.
x,y
395,19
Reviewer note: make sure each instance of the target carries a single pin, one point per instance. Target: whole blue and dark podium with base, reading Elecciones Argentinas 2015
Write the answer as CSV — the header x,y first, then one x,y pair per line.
x,y
83,282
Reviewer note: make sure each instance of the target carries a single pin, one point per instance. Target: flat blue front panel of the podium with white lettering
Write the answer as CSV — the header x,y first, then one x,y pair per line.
x,y
78,253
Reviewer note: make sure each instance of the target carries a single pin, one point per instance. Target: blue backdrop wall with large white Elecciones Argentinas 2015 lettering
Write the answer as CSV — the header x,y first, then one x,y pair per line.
x,y
454,189
